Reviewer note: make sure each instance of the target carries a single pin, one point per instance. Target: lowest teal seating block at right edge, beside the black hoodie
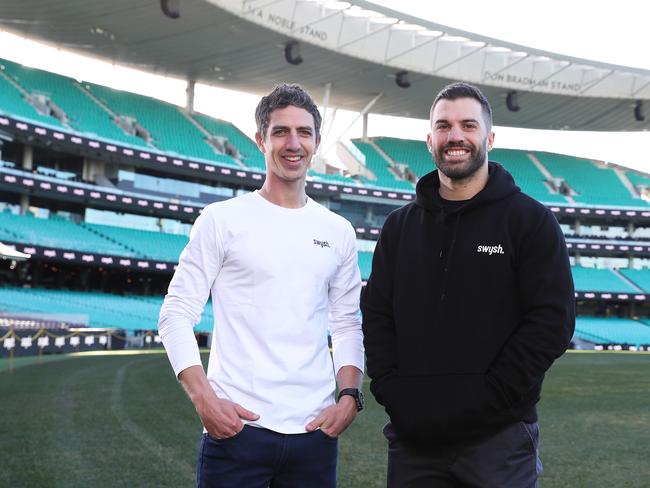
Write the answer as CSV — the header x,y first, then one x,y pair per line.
x,y
602,330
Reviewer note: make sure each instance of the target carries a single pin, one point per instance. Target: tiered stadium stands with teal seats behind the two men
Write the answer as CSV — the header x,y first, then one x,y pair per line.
x,y
89,110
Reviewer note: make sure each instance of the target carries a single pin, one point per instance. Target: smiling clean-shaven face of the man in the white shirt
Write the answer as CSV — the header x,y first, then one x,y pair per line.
x,y
288,144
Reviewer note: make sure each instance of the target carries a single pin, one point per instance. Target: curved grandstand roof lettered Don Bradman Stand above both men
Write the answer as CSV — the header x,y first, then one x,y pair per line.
x,y
359,49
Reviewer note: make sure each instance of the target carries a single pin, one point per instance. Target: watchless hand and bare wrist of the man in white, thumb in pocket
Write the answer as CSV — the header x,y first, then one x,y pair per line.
x,y
221,418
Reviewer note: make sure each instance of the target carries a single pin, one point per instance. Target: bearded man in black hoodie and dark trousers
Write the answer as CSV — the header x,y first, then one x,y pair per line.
x,y
469,302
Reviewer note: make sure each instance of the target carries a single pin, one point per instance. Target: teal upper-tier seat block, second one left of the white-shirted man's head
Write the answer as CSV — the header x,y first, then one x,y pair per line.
x,y
170,129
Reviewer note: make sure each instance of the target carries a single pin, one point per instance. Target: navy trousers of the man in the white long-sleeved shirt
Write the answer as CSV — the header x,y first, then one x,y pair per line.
x,y
261,458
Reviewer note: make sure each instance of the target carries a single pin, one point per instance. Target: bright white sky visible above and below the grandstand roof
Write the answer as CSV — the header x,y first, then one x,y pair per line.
x,y
587,29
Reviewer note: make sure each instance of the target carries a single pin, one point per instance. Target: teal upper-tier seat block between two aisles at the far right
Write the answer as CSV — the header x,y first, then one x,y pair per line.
x,y
595,185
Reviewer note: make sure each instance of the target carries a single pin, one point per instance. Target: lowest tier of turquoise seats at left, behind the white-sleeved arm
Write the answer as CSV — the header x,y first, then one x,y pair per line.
x,y
128,312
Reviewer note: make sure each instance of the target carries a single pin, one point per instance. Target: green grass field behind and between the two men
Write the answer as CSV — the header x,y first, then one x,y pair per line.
x,y
122,420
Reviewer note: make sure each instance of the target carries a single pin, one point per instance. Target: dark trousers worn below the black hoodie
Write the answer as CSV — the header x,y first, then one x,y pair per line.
x,y
507,459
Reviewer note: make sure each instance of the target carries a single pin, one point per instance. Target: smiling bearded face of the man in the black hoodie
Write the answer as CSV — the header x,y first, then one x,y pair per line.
x,y
459,138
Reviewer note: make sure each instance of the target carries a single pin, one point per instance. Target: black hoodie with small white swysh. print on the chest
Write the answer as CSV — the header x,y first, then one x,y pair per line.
x,y
465,310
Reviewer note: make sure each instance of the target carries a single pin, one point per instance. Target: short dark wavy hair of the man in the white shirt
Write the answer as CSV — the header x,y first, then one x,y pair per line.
x,y
282,96
